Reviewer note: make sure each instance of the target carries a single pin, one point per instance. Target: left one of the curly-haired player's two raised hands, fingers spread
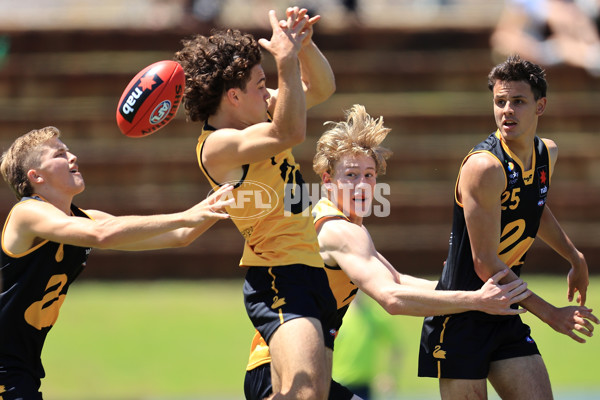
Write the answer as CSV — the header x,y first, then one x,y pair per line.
x,y
287,38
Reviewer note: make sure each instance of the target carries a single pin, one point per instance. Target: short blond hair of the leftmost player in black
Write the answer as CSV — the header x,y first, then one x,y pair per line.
x,y
23,155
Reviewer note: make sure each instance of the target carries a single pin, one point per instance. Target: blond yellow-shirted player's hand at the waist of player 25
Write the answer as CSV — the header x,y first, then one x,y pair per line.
x,y
496,298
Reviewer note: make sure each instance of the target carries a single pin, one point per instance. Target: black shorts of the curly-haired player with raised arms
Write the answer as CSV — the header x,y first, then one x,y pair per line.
x,y
275,295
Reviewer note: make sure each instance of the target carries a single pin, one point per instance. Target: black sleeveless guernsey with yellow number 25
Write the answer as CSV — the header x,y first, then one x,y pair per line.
x,y
523,202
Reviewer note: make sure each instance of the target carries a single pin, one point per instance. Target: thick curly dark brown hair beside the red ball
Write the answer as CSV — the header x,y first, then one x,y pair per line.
x,y
212,66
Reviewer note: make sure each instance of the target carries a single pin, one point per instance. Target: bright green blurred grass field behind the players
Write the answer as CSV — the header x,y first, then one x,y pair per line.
x,y
190,340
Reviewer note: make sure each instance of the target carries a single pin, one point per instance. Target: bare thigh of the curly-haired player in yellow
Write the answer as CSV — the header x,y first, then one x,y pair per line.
x,y
299,357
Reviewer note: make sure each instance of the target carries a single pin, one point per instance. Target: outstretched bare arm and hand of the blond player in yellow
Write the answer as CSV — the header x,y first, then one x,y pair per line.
x,y
350,247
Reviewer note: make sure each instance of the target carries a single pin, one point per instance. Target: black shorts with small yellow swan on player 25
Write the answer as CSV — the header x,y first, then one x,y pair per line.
x,y
462,346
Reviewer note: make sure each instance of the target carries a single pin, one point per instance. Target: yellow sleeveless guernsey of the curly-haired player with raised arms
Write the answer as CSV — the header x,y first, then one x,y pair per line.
x,y
271,210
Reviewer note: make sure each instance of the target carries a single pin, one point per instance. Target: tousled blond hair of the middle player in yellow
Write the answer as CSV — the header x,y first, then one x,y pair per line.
x,y
359,134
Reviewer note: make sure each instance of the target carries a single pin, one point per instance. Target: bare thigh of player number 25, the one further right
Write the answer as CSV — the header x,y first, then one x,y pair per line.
x,y
521,378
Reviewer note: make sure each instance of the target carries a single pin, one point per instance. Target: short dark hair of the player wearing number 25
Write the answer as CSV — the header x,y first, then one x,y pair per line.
x,y
517,69
